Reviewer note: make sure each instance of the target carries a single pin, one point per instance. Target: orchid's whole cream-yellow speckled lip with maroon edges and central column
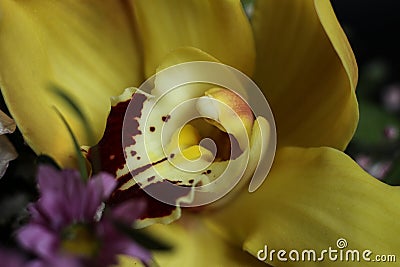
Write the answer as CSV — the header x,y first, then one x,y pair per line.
x,y
202,138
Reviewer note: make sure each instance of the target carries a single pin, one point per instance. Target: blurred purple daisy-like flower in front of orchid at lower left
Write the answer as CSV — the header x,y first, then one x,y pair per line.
x,y
68,226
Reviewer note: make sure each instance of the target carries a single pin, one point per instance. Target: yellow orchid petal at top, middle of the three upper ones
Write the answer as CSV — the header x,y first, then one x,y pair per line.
x,y
219,28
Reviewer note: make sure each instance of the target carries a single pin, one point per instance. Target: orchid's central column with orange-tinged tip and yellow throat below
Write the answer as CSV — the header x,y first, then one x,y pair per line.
x,y
221,133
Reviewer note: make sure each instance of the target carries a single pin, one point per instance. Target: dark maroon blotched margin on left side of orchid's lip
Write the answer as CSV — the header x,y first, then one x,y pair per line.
x,y
111,158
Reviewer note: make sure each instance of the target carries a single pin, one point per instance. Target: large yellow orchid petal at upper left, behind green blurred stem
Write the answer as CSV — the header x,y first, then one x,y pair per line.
x,y
86,48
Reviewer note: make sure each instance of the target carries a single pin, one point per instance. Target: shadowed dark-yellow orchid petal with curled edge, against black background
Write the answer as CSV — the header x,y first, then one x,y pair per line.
x,y
307,70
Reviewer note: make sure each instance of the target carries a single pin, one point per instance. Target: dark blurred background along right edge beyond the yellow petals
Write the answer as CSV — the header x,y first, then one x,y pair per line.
x,y
372,27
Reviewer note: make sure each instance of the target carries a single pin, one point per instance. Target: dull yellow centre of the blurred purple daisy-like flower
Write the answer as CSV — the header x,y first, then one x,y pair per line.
x,y
79,240
